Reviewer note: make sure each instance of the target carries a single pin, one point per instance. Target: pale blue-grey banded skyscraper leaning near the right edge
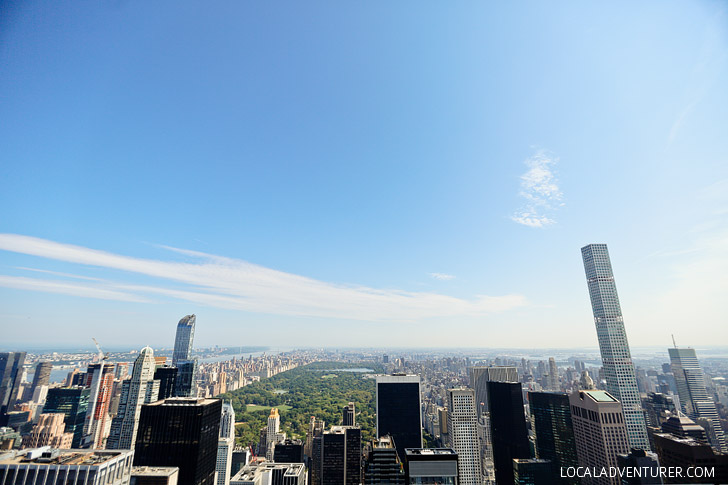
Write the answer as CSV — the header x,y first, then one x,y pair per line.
x,y
694,398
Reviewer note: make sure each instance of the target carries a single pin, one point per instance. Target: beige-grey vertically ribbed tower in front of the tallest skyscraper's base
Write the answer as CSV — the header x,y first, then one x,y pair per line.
x,y
600,432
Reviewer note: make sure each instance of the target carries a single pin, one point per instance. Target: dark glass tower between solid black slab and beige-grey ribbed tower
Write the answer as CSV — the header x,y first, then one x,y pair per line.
x,y
554,432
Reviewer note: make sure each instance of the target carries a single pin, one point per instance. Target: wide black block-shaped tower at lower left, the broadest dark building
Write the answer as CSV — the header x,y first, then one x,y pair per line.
x,y
183,433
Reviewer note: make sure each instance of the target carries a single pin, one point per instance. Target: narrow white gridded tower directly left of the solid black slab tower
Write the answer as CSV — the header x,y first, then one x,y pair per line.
x,y
463,434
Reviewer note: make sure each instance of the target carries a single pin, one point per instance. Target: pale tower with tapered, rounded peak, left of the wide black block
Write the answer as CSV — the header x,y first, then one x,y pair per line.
x,y
142,388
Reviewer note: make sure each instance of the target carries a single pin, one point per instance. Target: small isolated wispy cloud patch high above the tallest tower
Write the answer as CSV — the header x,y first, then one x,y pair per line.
x,y
540,189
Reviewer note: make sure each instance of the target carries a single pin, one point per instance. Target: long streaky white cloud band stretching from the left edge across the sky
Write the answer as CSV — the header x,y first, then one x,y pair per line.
x,y
229,283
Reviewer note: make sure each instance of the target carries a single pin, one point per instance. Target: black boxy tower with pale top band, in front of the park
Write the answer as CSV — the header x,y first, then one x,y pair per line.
x,y
399,410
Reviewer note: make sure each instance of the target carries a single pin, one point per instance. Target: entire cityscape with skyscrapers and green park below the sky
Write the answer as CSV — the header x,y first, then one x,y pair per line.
x,y
269,416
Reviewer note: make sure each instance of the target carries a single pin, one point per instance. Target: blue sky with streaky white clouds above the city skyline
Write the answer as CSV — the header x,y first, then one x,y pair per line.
x,y
361,173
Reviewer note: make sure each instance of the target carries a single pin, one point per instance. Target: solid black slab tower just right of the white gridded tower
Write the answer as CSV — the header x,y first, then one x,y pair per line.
x,y
508,428
